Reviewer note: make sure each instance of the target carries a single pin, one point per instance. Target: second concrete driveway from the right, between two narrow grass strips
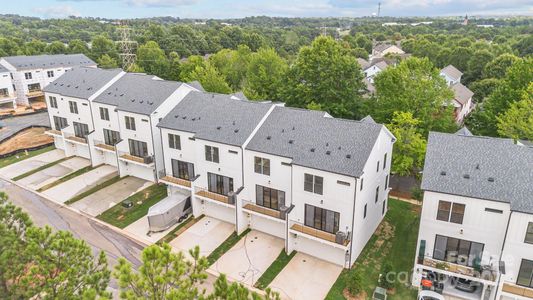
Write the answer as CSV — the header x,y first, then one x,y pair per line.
x,y
249,258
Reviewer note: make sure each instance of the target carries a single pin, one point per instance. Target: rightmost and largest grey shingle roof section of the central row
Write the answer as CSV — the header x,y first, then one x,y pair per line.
x,y
313,140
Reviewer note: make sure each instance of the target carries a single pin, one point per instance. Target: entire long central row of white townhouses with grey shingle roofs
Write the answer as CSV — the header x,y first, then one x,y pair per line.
x,y
317,182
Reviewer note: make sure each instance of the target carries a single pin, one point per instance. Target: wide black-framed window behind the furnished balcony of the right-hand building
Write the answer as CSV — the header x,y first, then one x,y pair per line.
x,y
457,251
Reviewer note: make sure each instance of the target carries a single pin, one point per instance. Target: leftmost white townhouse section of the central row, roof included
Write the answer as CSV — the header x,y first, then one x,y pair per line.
x,y
69,100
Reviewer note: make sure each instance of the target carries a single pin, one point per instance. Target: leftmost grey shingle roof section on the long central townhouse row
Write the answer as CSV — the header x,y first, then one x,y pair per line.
x,y
81,82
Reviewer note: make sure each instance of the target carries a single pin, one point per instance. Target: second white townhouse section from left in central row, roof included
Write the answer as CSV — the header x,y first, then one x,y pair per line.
x,y
125,118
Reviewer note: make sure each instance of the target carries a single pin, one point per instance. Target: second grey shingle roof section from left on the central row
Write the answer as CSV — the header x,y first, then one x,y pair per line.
x,y
138,93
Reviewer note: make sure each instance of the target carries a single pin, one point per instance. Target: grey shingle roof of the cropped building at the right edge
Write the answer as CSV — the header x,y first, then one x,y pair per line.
x,y
480,167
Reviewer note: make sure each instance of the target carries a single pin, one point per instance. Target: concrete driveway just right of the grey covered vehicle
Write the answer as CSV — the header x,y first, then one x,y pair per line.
x,y
208,234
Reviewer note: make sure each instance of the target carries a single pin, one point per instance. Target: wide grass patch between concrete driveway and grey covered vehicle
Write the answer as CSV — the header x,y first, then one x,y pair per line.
x,y
121,217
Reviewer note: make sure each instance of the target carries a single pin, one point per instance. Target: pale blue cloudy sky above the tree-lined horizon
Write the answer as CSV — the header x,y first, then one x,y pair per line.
x,y
221,9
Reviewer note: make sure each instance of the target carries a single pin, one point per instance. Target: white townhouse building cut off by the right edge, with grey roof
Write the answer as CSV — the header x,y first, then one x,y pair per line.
x,y
476,225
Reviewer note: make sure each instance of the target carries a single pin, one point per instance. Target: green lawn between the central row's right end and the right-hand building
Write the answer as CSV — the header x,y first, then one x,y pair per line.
x,y
394,242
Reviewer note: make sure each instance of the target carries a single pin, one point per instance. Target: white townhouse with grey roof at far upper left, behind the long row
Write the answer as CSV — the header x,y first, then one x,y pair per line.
x,y
30,74
